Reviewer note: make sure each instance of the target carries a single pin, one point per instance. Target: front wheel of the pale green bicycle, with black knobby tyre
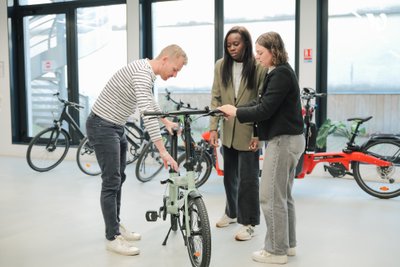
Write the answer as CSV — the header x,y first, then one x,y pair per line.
x,y
198,243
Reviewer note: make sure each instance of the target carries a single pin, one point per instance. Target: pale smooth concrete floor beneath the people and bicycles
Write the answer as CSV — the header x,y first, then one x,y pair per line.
x,y
54,219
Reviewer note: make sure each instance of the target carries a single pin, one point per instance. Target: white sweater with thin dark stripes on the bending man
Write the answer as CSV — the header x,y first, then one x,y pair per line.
x,y
130,88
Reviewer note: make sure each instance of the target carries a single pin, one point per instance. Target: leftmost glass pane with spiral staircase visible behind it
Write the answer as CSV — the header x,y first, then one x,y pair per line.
x,y
45,67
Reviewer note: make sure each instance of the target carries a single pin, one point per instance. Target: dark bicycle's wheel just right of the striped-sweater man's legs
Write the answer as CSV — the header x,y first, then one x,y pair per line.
x,y
149,163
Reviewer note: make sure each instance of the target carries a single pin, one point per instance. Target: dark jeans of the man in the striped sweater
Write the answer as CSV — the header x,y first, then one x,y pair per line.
x,y
110,145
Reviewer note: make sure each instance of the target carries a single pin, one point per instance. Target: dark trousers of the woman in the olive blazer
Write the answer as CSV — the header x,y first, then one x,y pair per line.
x,y
241,182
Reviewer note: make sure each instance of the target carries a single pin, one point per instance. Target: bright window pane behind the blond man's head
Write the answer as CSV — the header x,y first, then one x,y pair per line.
x,y
192,28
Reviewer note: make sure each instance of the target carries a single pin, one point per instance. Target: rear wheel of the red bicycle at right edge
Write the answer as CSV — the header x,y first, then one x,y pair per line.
x,y
381,182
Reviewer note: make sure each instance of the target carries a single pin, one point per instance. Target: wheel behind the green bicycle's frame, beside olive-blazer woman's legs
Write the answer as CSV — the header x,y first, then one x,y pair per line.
x,y
202,166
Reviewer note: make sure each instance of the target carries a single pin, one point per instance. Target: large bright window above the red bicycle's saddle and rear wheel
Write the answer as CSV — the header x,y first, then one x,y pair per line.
x,y
364,62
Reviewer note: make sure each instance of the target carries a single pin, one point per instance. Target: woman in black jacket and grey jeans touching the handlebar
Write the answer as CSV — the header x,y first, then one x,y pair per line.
x,y
279,120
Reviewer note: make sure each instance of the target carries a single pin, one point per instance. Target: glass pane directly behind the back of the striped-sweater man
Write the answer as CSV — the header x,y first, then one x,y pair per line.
x,y
102,50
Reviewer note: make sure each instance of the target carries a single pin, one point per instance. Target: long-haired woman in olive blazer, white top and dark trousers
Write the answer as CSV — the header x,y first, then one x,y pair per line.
x,y
237,78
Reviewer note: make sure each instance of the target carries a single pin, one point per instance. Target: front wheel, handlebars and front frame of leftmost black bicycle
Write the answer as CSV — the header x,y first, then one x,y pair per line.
x,y
50,146
